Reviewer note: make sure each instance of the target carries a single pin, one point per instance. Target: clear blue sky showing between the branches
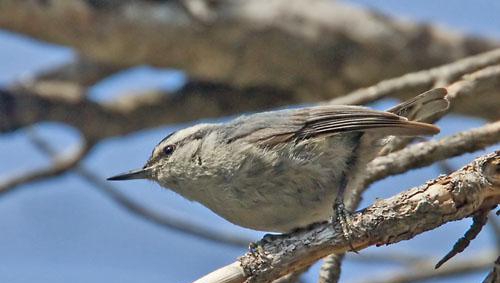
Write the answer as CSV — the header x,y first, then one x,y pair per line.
x,y
64,230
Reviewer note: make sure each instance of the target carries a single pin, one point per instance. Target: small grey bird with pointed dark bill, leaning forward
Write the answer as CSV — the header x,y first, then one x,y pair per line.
x,y
282,170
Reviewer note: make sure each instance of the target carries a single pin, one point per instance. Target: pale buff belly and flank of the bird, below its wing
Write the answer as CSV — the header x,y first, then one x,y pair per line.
x,y
274,193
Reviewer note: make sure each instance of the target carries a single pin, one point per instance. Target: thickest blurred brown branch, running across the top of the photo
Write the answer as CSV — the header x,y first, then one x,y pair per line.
x,y
318,48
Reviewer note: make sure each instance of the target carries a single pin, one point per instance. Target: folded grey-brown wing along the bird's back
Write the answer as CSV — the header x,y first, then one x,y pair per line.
x,y
276,127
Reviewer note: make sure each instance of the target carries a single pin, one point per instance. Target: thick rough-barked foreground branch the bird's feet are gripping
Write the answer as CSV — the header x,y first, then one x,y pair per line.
x,y
447,198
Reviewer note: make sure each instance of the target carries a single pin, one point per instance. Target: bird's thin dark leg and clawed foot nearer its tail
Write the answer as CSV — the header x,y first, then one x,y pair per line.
x,y
341,214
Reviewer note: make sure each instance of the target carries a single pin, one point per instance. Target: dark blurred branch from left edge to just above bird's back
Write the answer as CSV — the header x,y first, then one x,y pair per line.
x,y
23,106
